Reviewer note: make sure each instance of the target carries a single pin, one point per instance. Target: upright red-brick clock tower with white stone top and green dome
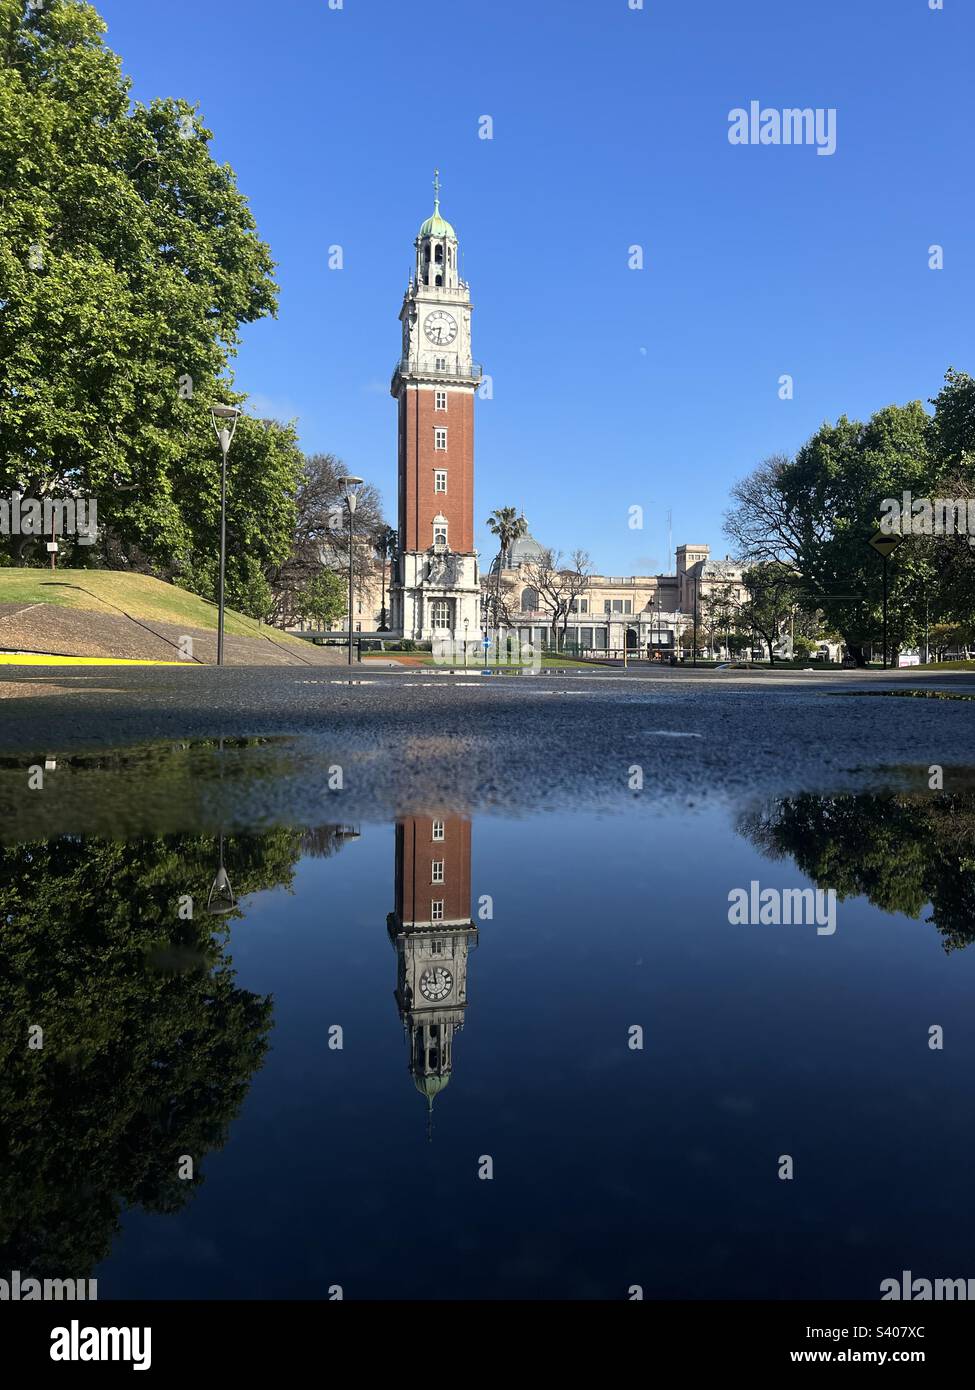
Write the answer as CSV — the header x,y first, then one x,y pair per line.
x,y
436,586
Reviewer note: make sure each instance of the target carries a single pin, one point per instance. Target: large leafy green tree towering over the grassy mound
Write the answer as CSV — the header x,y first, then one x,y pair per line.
x,y
129,263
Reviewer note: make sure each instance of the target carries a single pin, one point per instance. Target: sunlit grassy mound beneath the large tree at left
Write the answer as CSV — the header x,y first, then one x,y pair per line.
x,y
137,596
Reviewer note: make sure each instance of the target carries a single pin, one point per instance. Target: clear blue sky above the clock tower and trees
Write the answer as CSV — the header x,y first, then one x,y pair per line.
x,y
613,387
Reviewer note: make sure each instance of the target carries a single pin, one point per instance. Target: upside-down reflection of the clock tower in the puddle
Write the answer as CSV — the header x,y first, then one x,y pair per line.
x,y
433,932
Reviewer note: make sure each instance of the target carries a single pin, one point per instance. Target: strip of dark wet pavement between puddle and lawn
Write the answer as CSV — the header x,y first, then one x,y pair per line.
x,y
425,739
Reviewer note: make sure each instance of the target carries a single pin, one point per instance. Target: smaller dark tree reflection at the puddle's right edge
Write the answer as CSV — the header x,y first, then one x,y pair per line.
x,y
901,850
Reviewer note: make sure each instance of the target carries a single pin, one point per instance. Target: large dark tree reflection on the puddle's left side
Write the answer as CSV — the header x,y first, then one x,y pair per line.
x,y
148,1043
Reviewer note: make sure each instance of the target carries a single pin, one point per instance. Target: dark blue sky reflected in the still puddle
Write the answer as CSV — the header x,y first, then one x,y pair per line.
x,y
613,1167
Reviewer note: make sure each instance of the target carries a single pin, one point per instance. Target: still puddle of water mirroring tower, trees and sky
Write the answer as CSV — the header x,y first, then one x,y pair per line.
x,y
461,1056
